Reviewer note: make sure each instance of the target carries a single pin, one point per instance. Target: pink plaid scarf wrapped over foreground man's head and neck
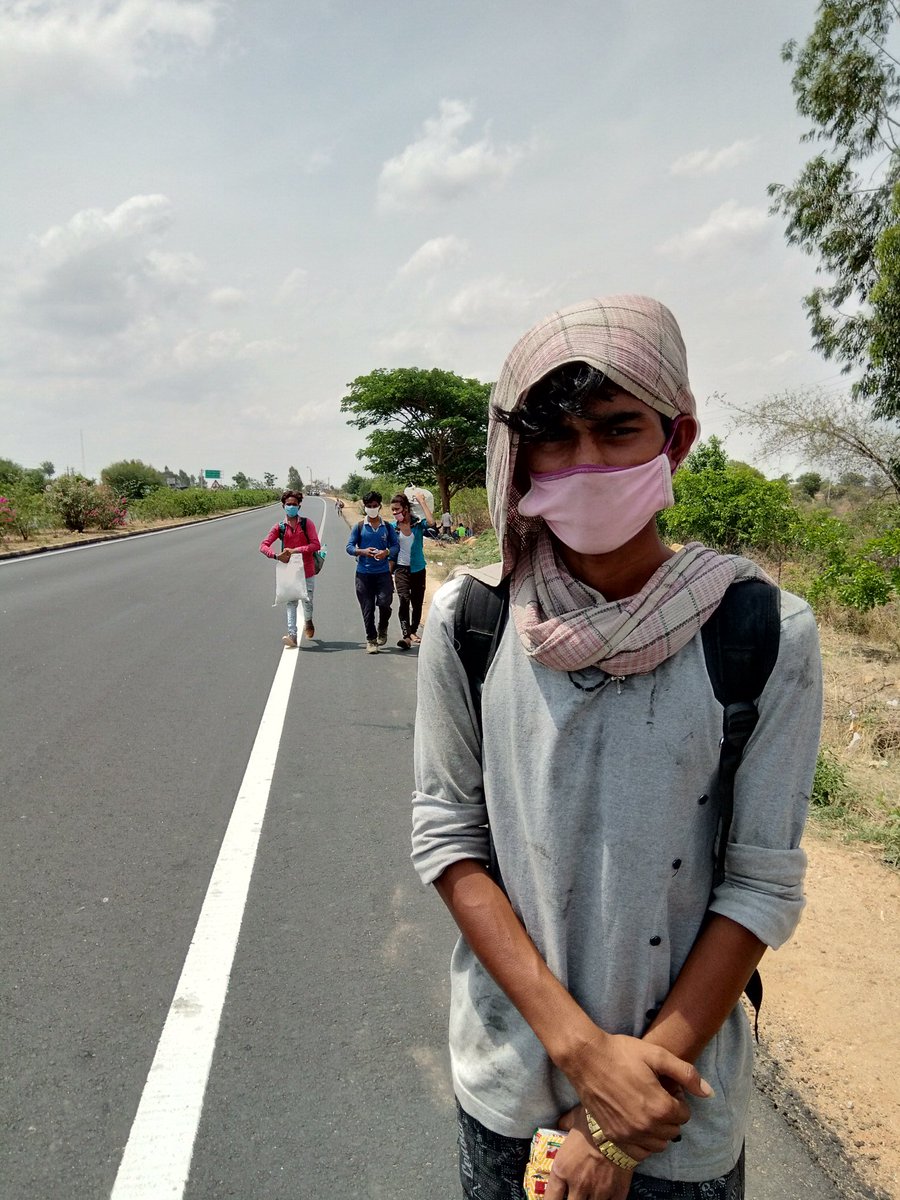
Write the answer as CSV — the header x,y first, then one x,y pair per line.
x,y
637,343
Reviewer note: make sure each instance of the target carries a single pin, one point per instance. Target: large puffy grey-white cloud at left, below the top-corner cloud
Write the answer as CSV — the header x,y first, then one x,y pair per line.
x,y
101,273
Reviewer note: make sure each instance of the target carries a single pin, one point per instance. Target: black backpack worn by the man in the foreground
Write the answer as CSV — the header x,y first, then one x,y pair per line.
x,y
741,644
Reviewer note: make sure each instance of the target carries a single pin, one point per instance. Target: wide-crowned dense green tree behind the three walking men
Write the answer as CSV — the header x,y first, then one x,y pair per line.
x,y
427,425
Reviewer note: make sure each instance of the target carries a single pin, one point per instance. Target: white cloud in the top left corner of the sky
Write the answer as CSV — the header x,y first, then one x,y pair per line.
x,y
94,45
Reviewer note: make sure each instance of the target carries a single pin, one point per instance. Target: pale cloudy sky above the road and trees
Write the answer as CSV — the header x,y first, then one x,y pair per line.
x,y
220,213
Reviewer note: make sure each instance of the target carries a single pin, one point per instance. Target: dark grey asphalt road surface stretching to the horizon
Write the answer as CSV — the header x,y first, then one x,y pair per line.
x,y
135,679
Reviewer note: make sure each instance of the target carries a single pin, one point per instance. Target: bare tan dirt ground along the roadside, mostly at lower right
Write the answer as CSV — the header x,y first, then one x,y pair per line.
x,y
830,1054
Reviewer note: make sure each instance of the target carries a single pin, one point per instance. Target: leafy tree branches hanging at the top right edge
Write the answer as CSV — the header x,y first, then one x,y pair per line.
x,y
848,85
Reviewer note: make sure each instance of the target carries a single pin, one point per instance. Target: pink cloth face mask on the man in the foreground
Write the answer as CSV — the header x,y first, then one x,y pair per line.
x,y
595,511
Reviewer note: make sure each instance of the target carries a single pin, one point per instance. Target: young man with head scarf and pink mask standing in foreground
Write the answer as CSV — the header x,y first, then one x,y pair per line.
x,y
572,829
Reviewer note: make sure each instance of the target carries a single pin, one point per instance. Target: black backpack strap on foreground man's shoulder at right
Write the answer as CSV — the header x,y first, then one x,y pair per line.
x,y
741,644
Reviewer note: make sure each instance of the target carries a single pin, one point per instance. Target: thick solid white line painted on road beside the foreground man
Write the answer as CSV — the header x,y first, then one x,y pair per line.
x,y
158,1156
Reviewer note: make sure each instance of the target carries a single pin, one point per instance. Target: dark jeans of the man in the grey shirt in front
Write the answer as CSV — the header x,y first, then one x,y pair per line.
x,y
493,1168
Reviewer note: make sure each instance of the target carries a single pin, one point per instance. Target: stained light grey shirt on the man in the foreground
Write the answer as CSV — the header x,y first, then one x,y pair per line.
x,y
598,795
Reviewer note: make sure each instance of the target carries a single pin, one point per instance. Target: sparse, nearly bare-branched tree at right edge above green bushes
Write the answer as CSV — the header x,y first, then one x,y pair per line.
x,y
826,430
